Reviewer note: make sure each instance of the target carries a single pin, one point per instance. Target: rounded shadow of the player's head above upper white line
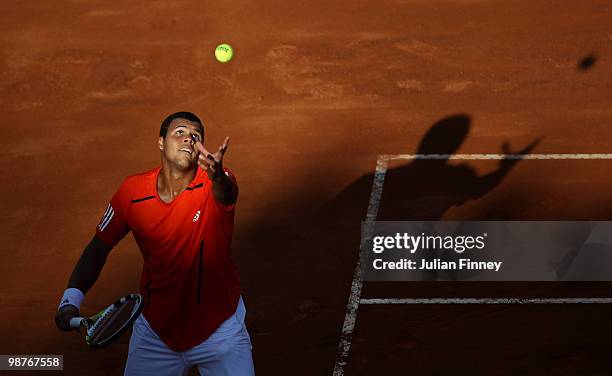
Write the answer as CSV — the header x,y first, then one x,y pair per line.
x,y
445,136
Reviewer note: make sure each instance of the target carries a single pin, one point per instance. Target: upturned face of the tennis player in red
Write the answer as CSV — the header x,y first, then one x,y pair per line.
x,y
178,147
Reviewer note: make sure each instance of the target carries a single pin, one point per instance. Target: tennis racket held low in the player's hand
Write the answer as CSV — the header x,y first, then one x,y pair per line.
x,y
108,325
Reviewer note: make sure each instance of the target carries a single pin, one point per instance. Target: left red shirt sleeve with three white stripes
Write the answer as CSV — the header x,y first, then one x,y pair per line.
x,y
113,225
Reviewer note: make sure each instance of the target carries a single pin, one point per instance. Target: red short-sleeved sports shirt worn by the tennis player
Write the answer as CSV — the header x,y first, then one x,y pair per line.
x,y
189,282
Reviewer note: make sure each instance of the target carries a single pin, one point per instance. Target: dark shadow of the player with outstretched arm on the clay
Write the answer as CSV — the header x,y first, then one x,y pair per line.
x,y
420,190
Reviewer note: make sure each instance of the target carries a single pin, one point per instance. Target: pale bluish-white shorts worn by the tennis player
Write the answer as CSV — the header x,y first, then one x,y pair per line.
x,y
226,352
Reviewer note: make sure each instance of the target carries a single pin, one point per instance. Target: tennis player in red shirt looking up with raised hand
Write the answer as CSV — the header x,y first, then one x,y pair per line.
x,y
181,215
